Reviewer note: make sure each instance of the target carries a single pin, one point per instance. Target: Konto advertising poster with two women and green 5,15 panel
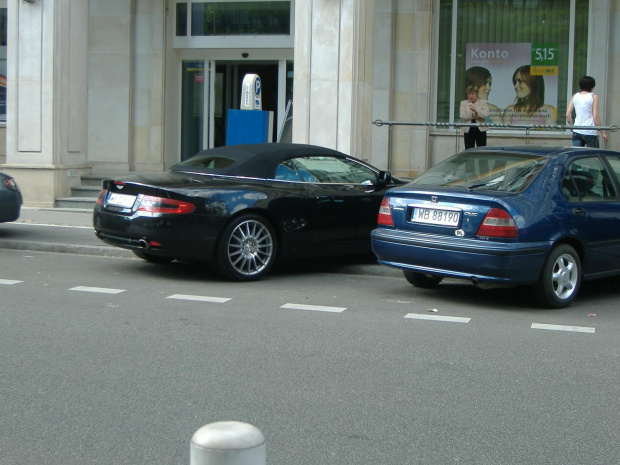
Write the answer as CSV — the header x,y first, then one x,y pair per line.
x,y
519,81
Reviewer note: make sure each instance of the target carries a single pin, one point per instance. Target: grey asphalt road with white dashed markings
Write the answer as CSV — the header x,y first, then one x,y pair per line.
x,y
109,360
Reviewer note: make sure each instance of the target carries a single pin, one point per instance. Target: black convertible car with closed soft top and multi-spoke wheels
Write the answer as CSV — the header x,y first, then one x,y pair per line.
x,y
243,207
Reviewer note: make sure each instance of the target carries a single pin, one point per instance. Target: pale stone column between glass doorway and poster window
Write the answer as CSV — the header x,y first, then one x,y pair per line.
x,y
333,74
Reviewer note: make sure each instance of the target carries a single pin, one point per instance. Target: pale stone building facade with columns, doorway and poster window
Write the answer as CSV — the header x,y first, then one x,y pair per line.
x,y
111,86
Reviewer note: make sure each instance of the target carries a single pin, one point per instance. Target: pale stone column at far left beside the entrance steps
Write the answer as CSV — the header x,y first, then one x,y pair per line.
x,y
46,110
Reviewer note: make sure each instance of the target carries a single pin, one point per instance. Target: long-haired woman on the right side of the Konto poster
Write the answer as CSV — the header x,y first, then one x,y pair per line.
x,y
529,106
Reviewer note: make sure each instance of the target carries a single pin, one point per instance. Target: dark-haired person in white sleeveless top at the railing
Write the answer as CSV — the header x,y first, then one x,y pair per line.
x,y
585,104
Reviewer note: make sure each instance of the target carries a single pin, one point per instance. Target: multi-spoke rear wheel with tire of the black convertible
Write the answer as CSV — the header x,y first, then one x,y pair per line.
x,y
246,249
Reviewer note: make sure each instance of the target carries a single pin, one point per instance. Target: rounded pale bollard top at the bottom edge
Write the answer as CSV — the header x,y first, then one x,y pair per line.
x,y
228,443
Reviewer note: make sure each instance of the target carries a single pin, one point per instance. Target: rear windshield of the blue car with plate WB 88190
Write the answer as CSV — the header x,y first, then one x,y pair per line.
x,y
501,171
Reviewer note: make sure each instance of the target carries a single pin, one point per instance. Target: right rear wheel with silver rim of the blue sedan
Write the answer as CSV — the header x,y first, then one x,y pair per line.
x,y
560,277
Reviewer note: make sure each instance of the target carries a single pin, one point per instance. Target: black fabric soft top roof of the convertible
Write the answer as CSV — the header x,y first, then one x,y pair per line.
x,y
252,160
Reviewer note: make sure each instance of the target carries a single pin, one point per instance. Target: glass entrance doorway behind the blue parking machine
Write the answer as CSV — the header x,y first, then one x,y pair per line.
x,y
210,88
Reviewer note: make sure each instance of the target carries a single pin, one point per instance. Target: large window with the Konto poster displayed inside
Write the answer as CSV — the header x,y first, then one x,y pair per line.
x,y
519,54
